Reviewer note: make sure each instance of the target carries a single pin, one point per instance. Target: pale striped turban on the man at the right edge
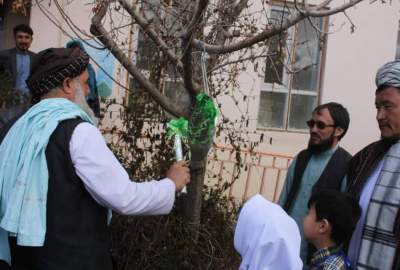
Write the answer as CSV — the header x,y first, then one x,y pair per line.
x,y
388,74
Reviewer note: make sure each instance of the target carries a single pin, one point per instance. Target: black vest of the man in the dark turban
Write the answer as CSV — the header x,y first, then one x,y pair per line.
x,y
77,235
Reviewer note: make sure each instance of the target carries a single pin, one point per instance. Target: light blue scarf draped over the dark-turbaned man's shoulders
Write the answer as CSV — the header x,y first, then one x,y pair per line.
x,y
24,175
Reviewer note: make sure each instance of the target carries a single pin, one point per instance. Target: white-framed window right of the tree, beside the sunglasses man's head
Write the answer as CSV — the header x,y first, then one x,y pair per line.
x,y
290,88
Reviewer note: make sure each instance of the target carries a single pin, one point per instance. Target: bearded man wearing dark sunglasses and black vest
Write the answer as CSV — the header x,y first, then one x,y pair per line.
x,y
321,166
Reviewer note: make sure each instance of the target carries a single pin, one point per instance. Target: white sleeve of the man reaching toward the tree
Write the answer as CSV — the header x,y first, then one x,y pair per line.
x,y
108,182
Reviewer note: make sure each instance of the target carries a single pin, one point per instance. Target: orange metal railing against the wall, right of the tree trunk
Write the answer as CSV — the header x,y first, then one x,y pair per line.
x,y
260,172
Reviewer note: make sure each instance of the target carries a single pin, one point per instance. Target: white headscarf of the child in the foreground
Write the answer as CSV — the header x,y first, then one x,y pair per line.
x,y
266,237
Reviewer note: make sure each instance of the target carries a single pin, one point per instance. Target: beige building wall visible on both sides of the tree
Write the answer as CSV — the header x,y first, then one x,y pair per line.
x,y
351,62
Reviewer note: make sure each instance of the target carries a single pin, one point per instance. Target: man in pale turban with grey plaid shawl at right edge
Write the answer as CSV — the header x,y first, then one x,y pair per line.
x,y
374,178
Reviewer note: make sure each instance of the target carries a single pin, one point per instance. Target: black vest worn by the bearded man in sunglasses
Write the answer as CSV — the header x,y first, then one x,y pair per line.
x,y
331,177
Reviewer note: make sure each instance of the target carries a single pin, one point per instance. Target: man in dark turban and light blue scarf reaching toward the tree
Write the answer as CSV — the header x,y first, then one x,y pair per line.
x,y
59,179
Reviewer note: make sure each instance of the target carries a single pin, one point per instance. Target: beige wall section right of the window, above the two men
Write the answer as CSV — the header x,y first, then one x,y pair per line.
x,y
352,62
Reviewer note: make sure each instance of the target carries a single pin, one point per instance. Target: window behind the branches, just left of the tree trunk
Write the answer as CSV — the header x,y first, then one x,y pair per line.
x,y
153,63
